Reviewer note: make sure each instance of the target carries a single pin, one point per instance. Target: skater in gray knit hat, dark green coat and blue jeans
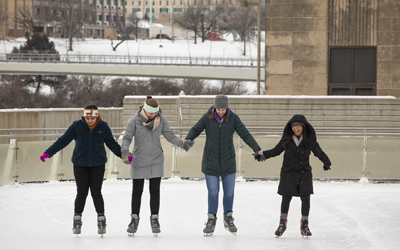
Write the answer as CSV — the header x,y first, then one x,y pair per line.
x,y
219,158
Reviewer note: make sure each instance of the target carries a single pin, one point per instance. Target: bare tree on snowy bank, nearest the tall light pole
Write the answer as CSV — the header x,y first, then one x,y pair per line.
x,y
242,20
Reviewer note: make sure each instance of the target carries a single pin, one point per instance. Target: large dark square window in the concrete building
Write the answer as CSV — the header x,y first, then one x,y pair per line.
x,y
352,71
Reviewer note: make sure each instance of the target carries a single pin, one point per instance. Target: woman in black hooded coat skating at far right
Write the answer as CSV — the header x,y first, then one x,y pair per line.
x,y
298,141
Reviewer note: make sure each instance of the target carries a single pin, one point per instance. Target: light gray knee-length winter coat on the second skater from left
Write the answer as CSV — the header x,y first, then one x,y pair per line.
x,y
148,161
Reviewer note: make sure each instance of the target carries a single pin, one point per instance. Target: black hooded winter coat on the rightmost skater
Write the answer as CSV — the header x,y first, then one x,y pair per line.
x,y
296,176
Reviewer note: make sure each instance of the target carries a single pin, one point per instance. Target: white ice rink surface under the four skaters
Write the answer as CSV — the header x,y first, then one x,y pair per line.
x,y
344,215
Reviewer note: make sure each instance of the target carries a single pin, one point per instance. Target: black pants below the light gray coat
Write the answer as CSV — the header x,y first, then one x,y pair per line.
x,y
137,191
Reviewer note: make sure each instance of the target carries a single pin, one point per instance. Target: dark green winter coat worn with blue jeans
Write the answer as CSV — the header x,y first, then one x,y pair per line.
x,y
219,156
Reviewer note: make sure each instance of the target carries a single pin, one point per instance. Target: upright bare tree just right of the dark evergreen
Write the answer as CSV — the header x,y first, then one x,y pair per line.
x,y
71,15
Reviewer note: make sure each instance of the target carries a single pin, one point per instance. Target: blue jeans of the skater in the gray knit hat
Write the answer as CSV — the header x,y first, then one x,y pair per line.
x,y
228,185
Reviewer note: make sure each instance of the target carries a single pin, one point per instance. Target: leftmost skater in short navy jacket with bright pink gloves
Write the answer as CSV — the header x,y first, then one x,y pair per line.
x,y
89,158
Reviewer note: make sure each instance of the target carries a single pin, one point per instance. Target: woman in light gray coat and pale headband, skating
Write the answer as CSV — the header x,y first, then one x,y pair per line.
x,y
147,158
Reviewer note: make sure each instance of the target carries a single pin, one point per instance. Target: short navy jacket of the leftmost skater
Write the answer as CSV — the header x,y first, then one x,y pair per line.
x,y
89,145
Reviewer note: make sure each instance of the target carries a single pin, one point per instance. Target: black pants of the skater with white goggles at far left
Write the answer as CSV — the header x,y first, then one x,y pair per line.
x,y
85,178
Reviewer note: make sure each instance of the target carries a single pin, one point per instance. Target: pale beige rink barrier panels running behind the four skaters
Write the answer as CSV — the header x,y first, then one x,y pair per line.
x,y
354,155
